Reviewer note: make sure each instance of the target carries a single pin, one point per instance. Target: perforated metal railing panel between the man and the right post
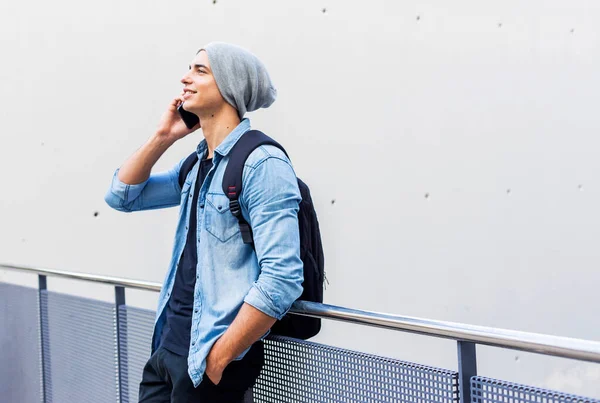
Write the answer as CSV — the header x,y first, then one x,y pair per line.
x,y
300,371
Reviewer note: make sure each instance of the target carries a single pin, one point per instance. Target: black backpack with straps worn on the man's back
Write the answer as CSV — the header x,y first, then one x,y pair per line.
x,y
311,249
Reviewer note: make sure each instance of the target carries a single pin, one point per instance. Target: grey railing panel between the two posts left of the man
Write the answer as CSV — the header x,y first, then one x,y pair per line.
x,y
82,349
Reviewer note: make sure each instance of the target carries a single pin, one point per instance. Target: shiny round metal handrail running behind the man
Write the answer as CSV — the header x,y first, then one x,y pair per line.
x,y
530,342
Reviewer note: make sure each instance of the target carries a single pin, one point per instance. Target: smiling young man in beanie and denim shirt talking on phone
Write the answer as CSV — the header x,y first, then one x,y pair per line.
x,y
220,296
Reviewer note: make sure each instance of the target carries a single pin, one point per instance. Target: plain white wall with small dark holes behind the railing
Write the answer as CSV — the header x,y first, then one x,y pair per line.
x,y
451,148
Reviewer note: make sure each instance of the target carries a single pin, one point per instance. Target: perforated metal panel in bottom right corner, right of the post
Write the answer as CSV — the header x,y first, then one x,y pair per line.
x,y
485,390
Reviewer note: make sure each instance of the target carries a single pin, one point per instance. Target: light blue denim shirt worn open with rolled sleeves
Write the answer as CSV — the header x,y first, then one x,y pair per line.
x,y
228,273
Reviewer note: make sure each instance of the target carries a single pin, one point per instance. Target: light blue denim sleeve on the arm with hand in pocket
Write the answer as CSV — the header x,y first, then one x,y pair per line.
x,y
272,197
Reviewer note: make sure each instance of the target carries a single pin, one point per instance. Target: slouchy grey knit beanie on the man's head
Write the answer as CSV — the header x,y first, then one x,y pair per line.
x,y
242,79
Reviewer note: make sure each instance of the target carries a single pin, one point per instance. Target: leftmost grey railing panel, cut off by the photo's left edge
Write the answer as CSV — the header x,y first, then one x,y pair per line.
x,y
20,364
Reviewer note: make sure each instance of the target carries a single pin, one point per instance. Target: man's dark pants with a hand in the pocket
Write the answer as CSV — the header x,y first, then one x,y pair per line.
x,y
165,379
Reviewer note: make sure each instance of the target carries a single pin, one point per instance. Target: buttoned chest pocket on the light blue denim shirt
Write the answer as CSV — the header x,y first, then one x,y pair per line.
x,y
218,219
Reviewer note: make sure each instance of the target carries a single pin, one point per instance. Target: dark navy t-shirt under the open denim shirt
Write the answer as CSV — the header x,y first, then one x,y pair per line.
x,y
176,333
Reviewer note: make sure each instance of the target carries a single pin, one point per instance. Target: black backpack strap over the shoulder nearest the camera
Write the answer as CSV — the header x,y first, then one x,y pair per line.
x,y
232,178
